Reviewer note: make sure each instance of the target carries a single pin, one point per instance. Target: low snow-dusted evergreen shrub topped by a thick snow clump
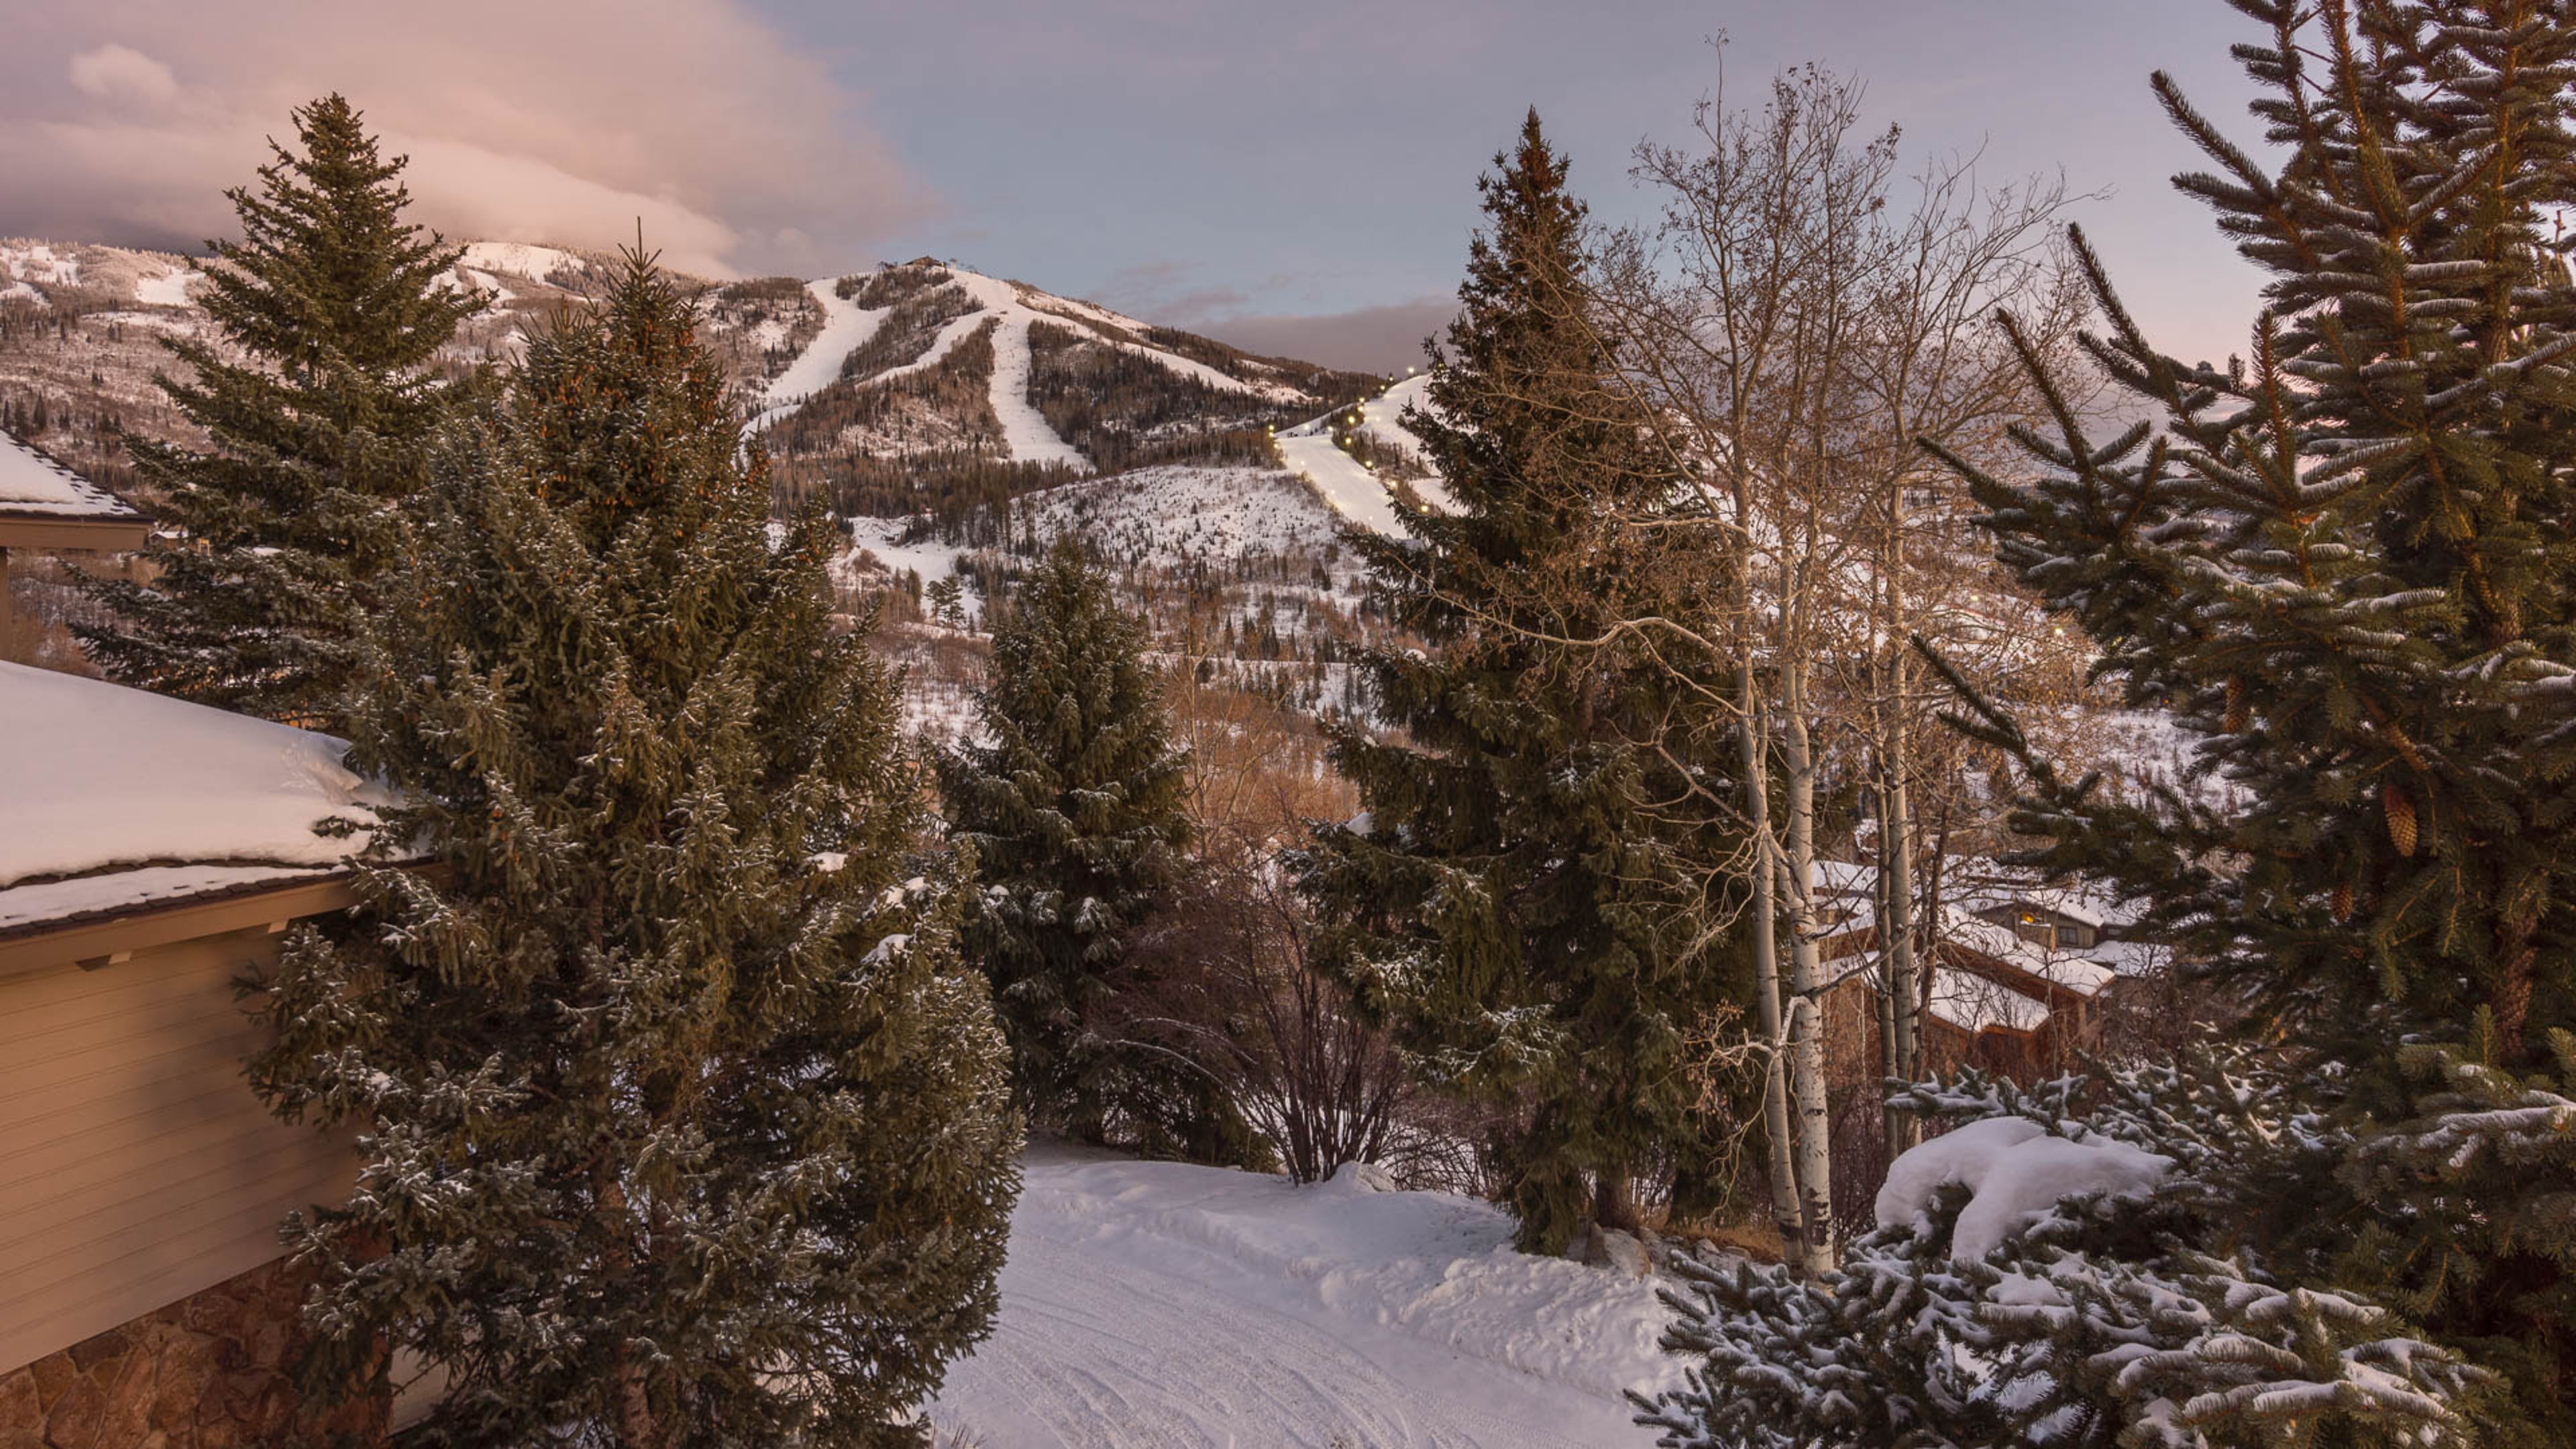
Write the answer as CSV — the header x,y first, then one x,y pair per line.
x,y
2060,1270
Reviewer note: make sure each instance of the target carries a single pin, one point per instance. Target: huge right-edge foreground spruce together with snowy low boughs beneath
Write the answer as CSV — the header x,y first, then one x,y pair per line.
x,y
2345,569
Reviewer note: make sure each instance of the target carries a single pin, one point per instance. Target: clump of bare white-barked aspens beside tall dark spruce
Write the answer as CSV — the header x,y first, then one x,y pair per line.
x,y
1794,329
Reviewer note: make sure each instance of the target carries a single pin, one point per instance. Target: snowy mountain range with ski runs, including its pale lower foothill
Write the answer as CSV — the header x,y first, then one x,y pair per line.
x,y
957,409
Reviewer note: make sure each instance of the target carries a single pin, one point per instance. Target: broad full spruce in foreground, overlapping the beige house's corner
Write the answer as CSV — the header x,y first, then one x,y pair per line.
x,y
684,1123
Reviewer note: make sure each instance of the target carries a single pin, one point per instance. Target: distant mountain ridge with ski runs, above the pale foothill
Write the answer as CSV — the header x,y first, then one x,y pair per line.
x,y
887,391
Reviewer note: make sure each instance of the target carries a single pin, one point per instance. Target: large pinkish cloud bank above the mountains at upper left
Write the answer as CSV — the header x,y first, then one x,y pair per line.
x,y
558,122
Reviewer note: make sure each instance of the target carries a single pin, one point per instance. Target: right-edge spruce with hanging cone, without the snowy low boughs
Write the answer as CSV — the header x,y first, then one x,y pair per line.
x,y
2348,566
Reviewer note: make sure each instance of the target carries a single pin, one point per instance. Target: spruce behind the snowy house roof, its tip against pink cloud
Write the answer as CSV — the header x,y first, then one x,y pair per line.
x,y
318,406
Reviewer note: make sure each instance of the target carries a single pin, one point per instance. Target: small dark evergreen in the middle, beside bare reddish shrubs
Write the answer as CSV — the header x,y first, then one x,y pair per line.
x,y
1075,819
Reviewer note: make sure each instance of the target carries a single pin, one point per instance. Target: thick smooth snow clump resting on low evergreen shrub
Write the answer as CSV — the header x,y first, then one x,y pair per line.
x,y
2016,1172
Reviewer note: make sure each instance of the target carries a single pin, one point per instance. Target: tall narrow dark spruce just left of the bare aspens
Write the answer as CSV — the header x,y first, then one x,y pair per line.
x,y
1511,899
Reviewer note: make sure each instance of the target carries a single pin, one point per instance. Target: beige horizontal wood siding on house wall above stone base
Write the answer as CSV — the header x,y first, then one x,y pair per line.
x,y
135,1164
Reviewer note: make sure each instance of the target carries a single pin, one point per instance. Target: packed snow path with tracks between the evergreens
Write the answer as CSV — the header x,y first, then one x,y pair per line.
x,y
1160,1306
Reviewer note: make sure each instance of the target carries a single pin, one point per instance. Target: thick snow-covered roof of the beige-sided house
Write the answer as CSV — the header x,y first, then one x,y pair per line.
x,y
120,798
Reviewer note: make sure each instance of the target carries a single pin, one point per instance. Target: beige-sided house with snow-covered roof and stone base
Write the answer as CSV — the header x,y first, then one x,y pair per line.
x,y
151,855
